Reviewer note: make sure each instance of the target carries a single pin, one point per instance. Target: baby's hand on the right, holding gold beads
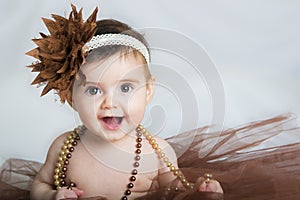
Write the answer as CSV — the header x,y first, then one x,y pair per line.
x,y
209,185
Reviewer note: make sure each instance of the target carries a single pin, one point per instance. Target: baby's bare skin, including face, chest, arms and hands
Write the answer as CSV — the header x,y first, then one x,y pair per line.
x,y
103,159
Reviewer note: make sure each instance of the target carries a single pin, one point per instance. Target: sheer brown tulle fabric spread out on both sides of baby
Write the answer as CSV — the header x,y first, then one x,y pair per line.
x,y
269,173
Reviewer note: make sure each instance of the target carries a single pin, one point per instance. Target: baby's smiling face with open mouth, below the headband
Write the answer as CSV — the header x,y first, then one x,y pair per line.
x,y
113,99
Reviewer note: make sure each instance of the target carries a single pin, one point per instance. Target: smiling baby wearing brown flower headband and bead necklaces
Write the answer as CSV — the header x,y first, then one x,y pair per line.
x,y
111,155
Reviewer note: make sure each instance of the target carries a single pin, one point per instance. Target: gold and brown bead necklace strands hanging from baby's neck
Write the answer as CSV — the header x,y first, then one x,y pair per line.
x,y
60,172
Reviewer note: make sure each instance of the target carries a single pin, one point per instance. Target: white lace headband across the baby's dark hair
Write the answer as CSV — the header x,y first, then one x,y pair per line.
x,y
117,39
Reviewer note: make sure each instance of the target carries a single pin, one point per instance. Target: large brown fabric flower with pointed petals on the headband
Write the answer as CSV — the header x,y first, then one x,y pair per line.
x,y
61,53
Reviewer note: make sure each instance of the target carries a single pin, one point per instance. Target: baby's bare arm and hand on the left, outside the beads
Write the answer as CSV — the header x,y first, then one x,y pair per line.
x,y
42,187
